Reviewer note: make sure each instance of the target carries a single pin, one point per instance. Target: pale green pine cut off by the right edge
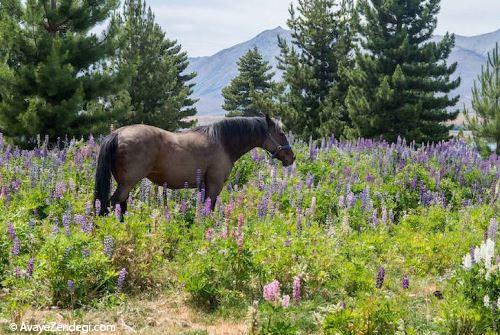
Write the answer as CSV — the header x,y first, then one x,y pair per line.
x,y
485,123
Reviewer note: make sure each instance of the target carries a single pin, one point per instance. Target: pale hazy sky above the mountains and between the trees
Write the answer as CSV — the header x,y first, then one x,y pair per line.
x,y
204,27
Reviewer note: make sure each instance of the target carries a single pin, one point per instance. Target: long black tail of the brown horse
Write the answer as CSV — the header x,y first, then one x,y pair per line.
x,y
105,165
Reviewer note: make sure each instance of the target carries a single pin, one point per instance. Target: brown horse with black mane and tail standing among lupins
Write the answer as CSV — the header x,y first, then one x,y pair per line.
x,y
205,153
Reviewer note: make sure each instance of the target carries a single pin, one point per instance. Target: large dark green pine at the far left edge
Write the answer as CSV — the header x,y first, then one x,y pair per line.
x,y
54,67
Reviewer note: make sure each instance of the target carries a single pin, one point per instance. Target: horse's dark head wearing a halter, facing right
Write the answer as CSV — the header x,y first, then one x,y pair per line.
x,y
277,144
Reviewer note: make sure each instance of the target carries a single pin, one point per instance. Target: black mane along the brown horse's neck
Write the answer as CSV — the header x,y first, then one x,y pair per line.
x,y
236,133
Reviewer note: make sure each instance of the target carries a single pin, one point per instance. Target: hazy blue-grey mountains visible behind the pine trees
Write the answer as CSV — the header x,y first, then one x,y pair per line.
x,y
216,71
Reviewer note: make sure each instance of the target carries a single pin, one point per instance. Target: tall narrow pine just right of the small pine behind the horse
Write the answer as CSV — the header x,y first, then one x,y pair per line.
x,y
315,87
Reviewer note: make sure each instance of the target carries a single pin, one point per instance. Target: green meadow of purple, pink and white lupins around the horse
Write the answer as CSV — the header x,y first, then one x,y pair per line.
x,y
359,237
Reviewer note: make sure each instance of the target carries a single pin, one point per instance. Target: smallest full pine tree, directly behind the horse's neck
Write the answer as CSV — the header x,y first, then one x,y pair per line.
x,y
251,92
